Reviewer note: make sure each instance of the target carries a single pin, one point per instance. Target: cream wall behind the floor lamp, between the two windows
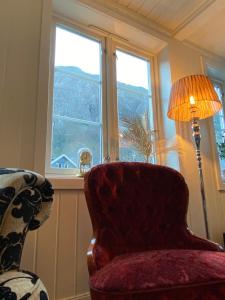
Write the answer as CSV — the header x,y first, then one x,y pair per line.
x,y
185,61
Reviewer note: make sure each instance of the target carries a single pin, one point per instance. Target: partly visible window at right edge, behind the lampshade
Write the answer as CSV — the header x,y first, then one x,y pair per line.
x,y
219,128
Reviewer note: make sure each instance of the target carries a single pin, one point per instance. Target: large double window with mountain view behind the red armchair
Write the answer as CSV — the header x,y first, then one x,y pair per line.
x,y
94,88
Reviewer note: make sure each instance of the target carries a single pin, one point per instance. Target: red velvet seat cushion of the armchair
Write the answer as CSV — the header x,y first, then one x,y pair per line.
x,y
160,269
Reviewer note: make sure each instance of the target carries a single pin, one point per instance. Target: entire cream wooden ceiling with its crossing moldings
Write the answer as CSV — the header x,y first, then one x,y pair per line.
x,y
200,23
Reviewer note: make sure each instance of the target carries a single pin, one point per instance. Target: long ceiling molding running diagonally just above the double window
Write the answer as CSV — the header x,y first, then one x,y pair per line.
x,y
129,16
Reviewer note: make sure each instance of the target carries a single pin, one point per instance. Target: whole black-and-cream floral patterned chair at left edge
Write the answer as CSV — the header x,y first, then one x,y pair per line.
x,y
25,203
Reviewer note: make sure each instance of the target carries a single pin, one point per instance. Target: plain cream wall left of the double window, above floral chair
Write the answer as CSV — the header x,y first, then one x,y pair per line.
x,y
20,28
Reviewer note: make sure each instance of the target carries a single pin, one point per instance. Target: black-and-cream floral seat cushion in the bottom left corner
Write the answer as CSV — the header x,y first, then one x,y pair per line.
x,y
21,285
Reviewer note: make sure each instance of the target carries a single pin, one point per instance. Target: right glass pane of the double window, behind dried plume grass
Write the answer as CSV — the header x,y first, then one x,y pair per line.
x,y
134,106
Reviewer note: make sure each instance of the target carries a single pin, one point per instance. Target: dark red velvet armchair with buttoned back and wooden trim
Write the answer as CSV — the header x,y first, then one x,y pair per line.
x,y
142,248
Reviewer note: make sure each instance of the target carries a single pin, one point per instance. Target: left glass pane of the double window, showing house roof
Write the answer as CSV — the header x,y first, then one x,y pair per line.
x,y
77,100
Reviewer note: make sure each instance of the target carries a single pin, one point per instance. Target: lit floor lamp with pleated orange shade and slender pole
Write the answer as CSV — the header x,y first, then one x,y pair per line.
x,y
193,98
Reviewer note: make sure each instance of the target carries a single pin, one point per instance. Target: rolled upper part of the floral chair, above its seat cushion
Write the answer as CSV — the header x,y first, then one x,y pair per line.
x,y
25,203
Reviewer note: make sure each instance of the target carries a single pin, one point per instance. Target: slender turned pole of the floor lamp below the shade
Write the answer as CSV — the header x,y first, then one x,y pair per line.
x,y
197,138
